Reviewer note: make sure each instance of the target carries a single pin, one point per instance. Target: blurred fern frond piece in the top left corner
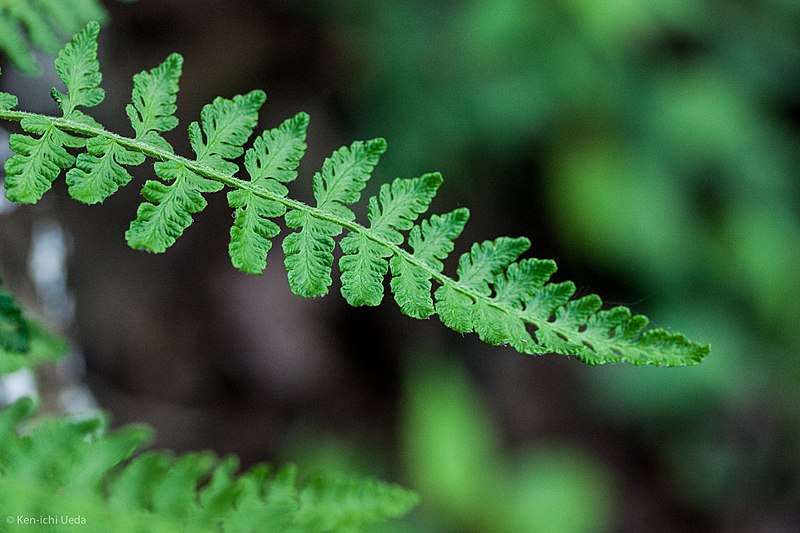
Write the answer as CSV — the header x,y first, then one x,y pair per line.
x,y
41,24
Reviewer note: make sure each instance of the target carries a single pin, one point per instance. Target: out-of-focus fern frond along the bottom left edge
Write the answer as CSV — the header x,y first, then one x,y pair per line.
x,y
76,468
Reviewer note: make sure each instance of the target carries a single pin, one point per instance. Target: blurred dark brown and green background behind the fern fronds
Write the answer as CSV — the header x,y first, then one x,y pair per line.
x,y
650,147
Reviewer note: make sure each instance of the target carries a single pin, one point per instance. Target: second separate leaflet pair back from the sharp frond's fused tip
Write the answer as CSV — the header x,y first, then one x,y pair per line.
x,y
364,264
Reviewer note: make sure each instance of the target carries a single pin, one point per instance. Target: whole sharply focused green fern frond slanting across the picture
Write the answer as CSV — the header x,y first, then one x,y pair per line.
x,y
504,299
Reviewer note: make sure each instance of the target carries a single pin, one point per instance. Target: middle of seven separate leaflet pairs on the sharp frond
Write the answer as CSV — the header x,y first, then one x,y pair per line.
x,y
272,160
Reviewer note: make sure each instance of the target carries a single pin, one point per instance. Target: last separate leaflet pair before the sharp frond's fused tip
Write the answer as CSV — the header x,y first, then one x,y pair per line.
x,y
431,241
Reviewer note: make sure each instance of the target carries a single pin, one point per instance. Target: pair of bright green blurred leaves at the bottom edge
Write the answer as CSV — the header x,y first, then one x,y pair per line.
x,y
468,484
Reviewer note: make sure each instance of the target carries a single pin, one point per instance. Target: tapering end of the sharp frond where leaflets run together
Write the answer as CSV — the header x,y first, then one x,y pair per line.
x,y
571,327
